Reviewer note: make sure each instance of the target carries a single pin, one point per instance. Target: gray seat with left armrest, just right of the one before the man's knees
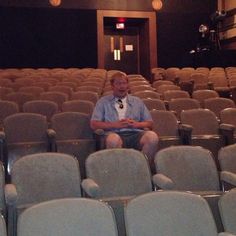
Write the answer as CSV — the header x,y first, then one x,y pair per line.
x,y
189,168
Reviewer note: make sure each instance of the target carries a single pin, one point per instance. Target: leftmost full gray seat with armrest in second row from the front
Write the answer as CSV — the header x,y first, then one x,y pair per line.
x,y
40,177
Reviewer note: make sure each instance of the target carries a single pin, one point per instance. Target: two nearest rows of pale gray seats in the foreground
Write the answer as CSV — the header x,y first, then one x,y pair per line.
x,y
193,192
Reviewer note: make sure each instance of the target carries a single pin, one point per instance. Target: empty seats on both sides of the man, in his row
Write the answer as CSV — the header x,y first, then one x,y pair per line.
x,y
70,132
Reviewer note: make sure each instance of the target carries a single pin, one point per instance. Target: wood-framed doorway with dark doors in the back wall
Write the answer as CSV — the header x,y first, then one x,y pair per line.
x,y
131,48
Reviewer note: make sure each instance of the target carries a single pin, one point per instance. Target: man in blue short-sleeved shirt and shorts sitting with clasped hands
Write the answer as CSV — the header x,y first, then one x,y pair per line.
x,y
125,119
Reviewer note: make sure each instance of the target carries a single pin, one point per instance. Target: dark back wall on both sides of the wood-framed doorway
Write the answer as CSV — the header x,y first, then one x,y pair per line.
x,y
33,34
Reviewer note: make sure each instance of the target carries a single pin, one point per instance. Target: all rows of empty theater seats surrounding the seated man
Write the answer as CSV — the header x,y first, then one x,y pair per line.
x,y
49,153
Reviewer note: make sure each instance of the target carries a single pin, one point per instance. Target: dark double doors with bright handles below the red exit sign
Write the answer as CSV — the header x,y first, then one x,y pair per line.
x,y
121,49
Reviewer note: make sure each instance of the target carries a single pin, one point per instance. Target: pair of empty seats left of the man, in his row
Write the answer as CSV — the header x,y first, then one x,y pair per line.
x,y
27,133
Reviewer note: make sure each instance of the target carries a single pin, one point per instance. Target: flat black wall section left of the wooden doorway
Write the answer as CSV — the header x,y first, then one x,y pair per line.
x,y
32,37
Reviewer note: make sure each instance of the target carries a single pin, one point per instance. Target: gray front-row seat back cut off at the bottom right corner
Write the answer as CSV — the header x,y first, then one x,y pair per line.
x,y
227,207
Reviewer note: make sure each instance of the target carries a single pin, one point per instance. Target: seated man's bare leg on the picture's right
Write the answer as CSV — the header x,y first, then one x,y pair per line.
x,y
149,142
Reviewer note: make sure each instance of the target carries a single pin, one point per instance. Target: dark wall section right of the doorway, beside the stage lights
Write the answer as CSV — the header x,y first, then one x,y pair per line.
x,y
177,28
